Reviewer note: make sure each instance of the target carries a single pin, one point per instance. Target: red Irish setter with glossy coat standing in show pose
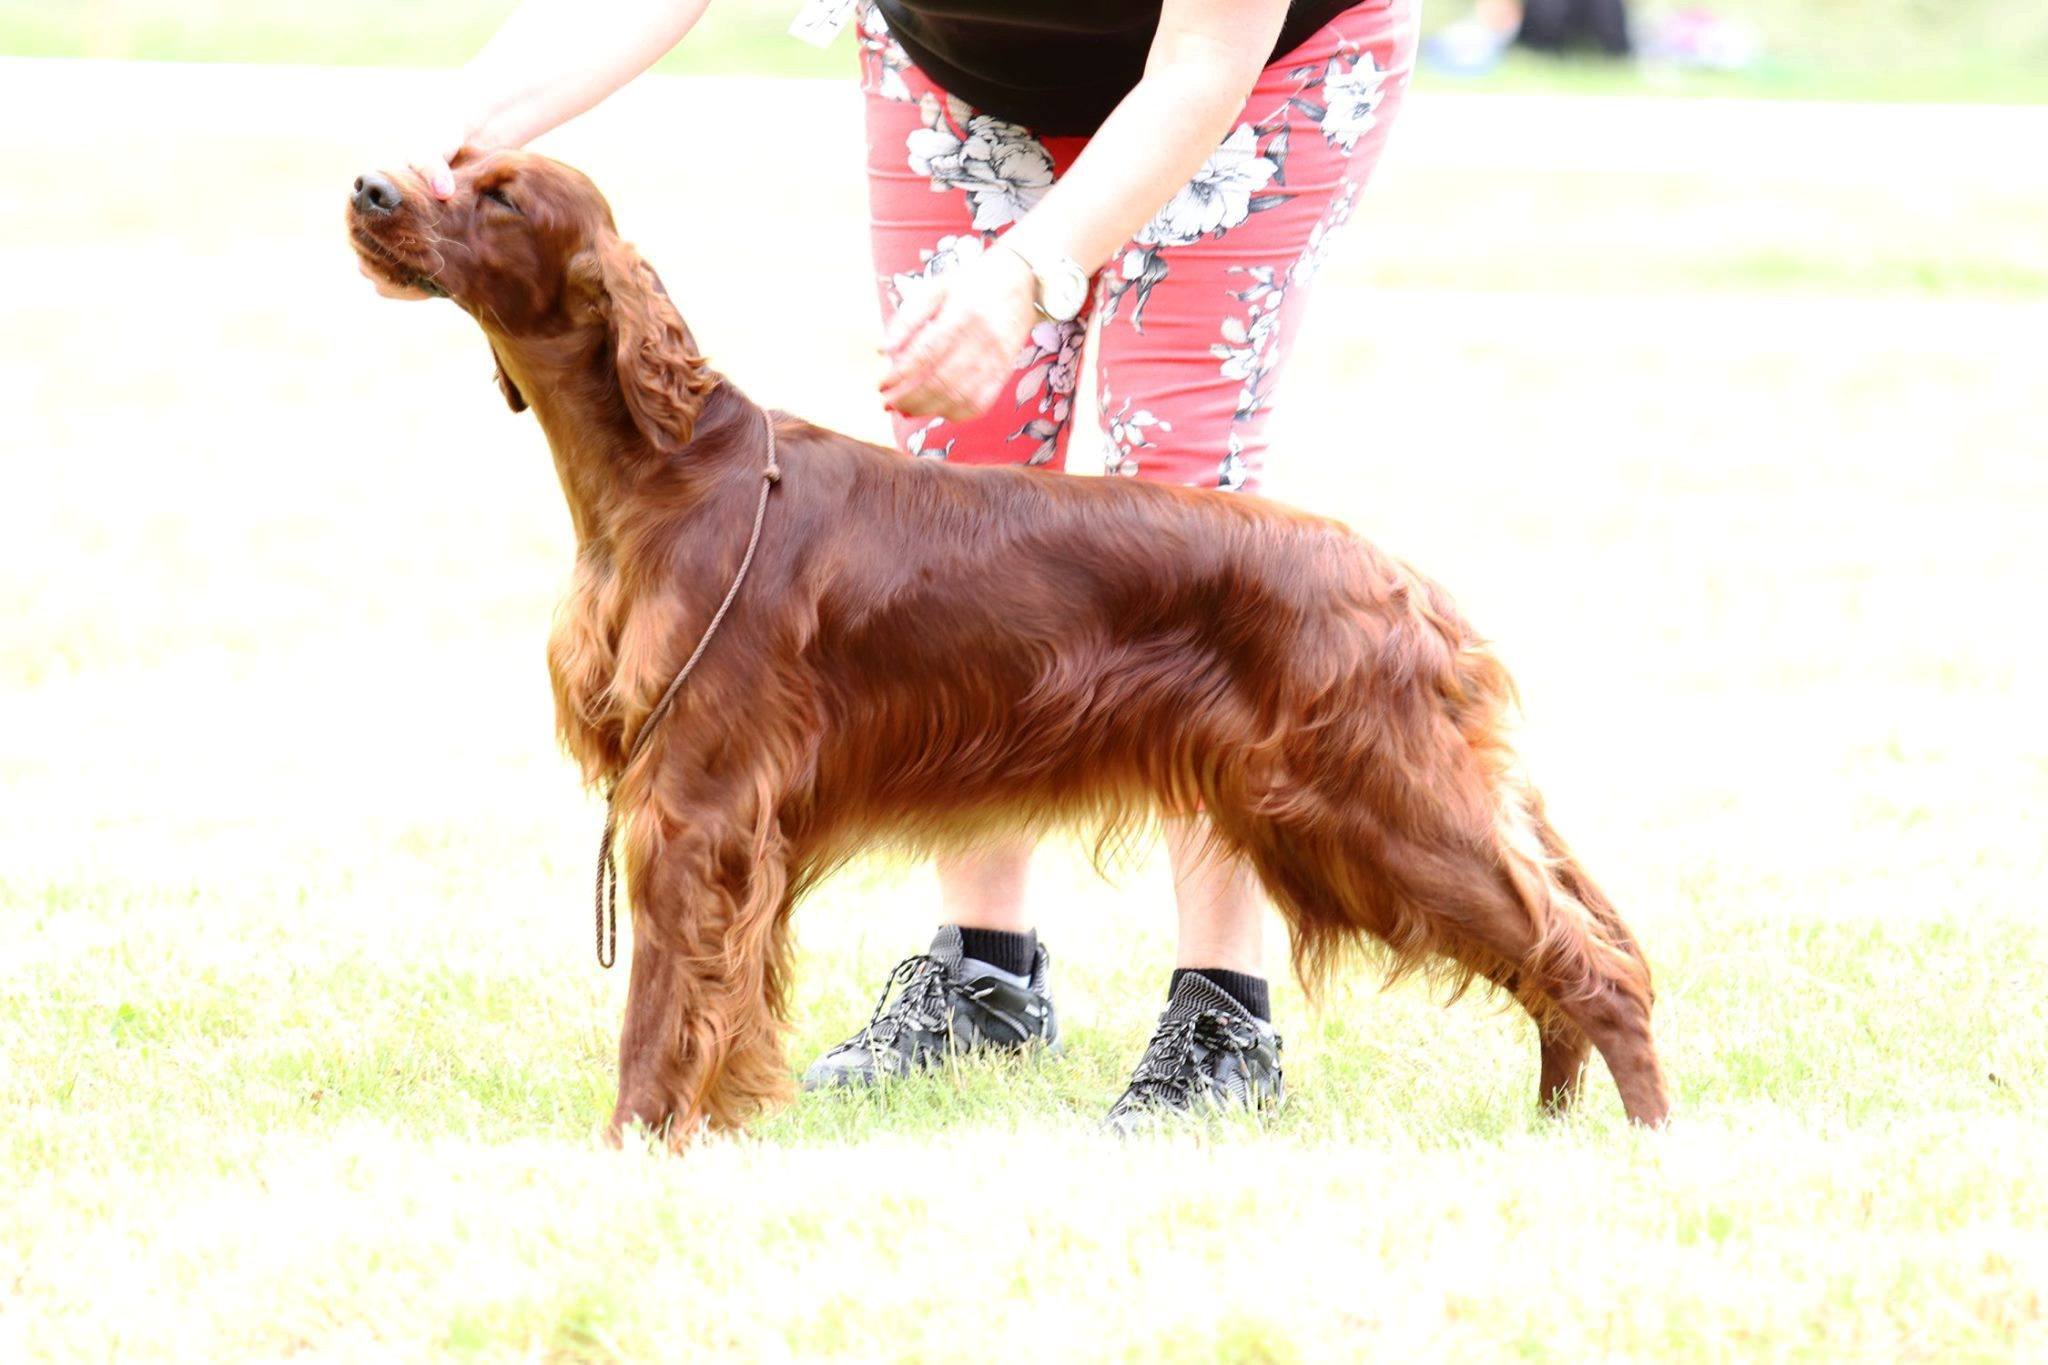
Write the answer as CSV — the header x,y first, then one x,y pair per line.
x,y
925,654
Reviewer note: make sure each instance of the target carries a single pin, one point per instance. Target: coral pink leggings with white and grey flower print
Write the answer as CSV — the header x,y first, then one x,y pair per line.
x,y
1199,310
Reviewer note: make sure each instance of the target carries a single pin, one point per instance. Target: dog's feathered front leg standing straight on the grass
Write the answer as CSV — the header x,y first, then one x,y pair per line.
x,y
703,1030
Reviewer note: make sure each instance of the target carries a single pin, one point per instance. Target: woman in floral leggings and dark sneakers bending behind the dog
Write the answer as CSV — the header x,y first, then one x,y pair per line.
x,y
1175,169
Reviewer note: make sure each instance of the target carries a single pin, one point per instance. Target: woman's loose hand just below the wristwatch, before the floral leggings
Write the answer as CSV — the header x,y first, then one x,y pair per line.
x,y
955,343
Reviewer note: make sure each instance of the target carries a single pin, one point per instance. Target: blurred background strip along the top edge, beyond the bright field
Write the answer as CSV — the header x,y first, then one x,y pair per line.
x,y
1893,50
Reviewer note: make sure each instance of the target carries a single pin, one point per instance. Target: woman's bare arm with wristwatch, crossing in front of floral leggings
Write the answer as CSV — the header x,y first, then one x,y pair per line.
x,y
953,345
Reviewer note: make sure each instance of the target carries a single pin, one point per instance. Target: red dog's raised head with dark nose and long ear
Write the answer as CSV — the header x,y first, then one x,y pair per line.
x,y
527,247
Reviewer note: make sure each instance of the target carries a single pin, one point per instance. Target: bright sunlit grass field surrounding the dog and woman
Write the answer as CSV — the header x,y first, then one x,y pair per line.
x,y
302,1051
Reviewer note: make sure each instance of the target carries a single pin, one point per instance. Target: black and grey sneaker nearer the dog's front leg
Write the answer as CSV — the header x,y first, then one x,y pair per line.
x,y
945,1004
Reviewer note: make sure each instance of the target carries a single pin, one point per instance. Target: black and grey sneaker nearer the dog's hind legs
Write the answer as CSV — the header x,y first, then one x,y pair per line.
x,y
1209,1055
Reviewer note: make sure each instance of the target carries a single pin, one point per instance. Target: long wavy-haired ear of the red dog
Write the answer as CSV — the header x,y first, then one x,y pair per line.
x,y
660,373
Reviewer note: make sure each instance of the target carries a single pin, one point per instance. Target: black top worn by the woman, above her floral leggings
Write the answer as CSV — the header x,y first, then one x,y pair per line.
x,y
1056,67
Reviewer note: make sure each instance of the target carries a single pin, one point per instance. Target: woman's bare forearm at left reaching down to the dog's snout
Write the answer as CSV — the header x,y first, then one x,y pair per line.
x,y
550,62
